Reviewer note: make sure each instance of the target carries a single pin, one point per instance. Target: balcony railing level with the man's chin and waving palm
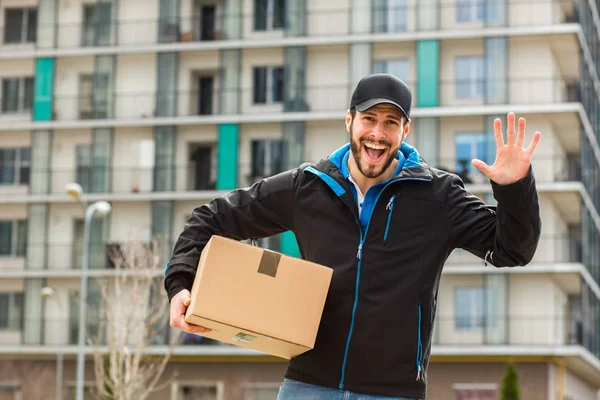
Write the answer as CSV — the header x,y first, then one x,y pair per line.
x,y
131,180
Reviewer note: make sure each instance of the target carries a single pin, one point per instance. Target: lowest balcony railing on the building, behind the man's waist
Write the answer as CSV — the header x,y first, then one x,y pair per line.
x,y
460,330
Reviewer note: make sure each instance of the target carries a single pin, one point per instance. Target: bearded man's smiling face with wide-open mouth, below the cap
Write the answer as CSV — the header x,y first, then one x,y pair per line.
x,y
375,138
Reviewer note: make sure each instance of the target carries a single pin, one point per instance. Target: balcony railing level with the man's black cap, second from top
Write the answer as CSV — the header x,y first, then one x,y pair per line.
x,y
322,98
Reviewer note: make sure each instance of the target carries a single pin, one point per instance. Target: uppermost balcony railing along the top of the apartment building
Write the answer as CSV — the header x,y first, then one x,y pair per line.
x,y
323,21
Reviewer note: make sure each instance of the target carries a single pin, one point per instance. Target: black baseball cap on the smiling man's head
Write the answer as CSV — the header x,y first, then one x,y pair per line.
x,y
381,88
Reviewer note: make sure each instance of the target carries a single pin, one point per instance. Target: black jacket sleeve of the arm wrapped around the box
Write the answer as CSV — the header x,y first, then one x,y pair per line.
x,y
264,209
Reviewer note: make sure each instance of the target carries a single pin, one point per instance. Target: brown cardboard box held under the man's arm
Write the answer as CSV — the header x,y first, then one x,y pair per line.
x,y
257,298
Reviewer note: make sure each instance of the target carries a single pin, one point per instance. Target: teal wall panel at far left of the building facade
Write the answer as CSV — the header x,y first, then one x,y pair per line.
x,y
44,89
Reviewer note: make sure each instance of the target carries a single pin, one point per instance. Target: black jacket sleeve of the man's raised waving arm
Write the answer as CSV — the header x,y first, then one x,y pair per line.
x,y
506,235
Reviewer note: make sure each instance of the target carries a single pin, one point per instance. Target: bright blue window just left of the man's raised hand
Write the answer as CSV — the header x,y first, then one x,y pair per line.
x,y
469,146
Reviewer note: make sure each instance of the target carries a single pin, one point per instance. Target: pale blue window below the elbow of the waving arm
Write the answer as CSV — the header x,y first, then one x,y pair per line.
x,y
468,308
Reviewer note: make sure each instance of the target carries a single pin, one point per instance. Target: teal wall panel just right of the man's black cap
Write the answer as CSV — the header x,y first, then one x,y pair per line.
x,y
428,73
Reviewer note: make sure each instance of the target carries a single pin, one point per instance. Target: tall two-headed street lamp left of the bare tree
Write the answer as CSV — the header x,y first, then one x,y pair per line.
x,y
102,208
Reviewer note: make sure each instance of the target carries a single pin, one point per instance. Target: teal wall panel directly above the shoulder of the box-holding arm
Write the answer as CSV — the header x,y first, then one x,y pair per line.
x,y
227,168
